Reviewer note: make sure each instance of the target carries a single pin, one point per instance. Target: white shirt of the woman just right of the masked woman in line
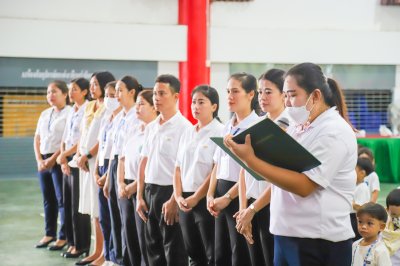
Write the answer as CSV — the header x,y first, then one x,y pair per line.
x,y
121,128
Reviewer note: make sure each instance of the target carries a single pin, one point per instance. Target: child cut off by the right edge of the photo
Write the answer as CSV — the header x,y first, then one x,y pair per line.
x,y
391,234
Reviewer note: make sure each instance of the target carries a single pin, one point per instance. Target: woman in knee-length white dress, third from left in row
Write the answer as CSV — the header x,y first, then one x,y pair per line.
x,y
85,158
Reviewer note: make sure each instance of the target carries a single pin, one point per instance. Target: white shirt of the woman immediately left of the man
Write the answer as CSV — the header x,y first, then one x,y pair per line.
x,y
131,151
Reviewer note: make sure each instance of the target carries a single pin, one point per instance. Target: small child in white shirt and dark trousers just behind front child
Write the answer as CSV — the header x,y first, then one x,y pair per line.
x,y
361,194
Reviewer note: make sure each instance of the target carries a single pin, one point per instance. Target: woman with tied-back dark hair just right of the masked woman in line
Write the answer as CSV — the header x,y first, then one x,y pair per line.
x,y
125,242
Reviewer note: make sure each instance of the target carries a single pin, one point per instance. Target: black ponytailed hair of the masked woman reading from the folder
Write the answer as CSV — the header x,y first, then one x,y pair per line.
x,y
309,76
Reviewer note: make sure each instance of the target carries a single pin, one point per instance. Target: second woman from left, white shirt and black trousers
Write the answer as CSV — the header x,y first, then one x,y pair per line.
x,y
75,223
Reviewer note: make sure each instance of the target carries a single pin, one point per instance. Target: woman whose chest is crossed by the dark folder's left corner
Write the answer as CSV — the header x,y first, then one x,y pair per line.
x,y
222,195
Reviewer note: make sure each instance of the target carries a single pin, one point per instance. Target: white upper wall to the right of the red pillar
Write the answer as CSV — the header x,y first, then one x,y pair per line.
x,y
293,31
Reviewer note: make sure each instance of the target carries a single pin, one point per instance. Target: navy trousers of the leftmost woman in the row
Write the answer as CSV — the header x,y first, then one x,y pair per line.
x,y
51,182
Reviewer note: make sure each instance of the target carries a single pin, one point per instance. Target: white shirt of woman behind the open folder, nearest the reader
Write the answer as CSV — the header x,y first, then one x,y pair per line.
x,y
254,187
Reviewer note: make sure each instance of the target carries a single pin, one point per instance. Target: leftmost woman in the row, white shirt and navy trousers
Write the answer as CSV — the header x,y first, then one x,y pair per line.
x,y
47,143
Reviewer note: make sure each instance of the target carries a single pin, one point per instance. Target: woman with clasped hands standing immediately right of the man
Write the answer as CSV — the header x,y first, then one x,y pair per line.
x,y
192,176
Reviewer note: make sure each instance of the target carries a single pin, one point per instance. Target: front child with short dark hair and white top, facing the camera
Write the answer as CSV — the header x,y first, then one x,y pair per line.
x,y
370,249
